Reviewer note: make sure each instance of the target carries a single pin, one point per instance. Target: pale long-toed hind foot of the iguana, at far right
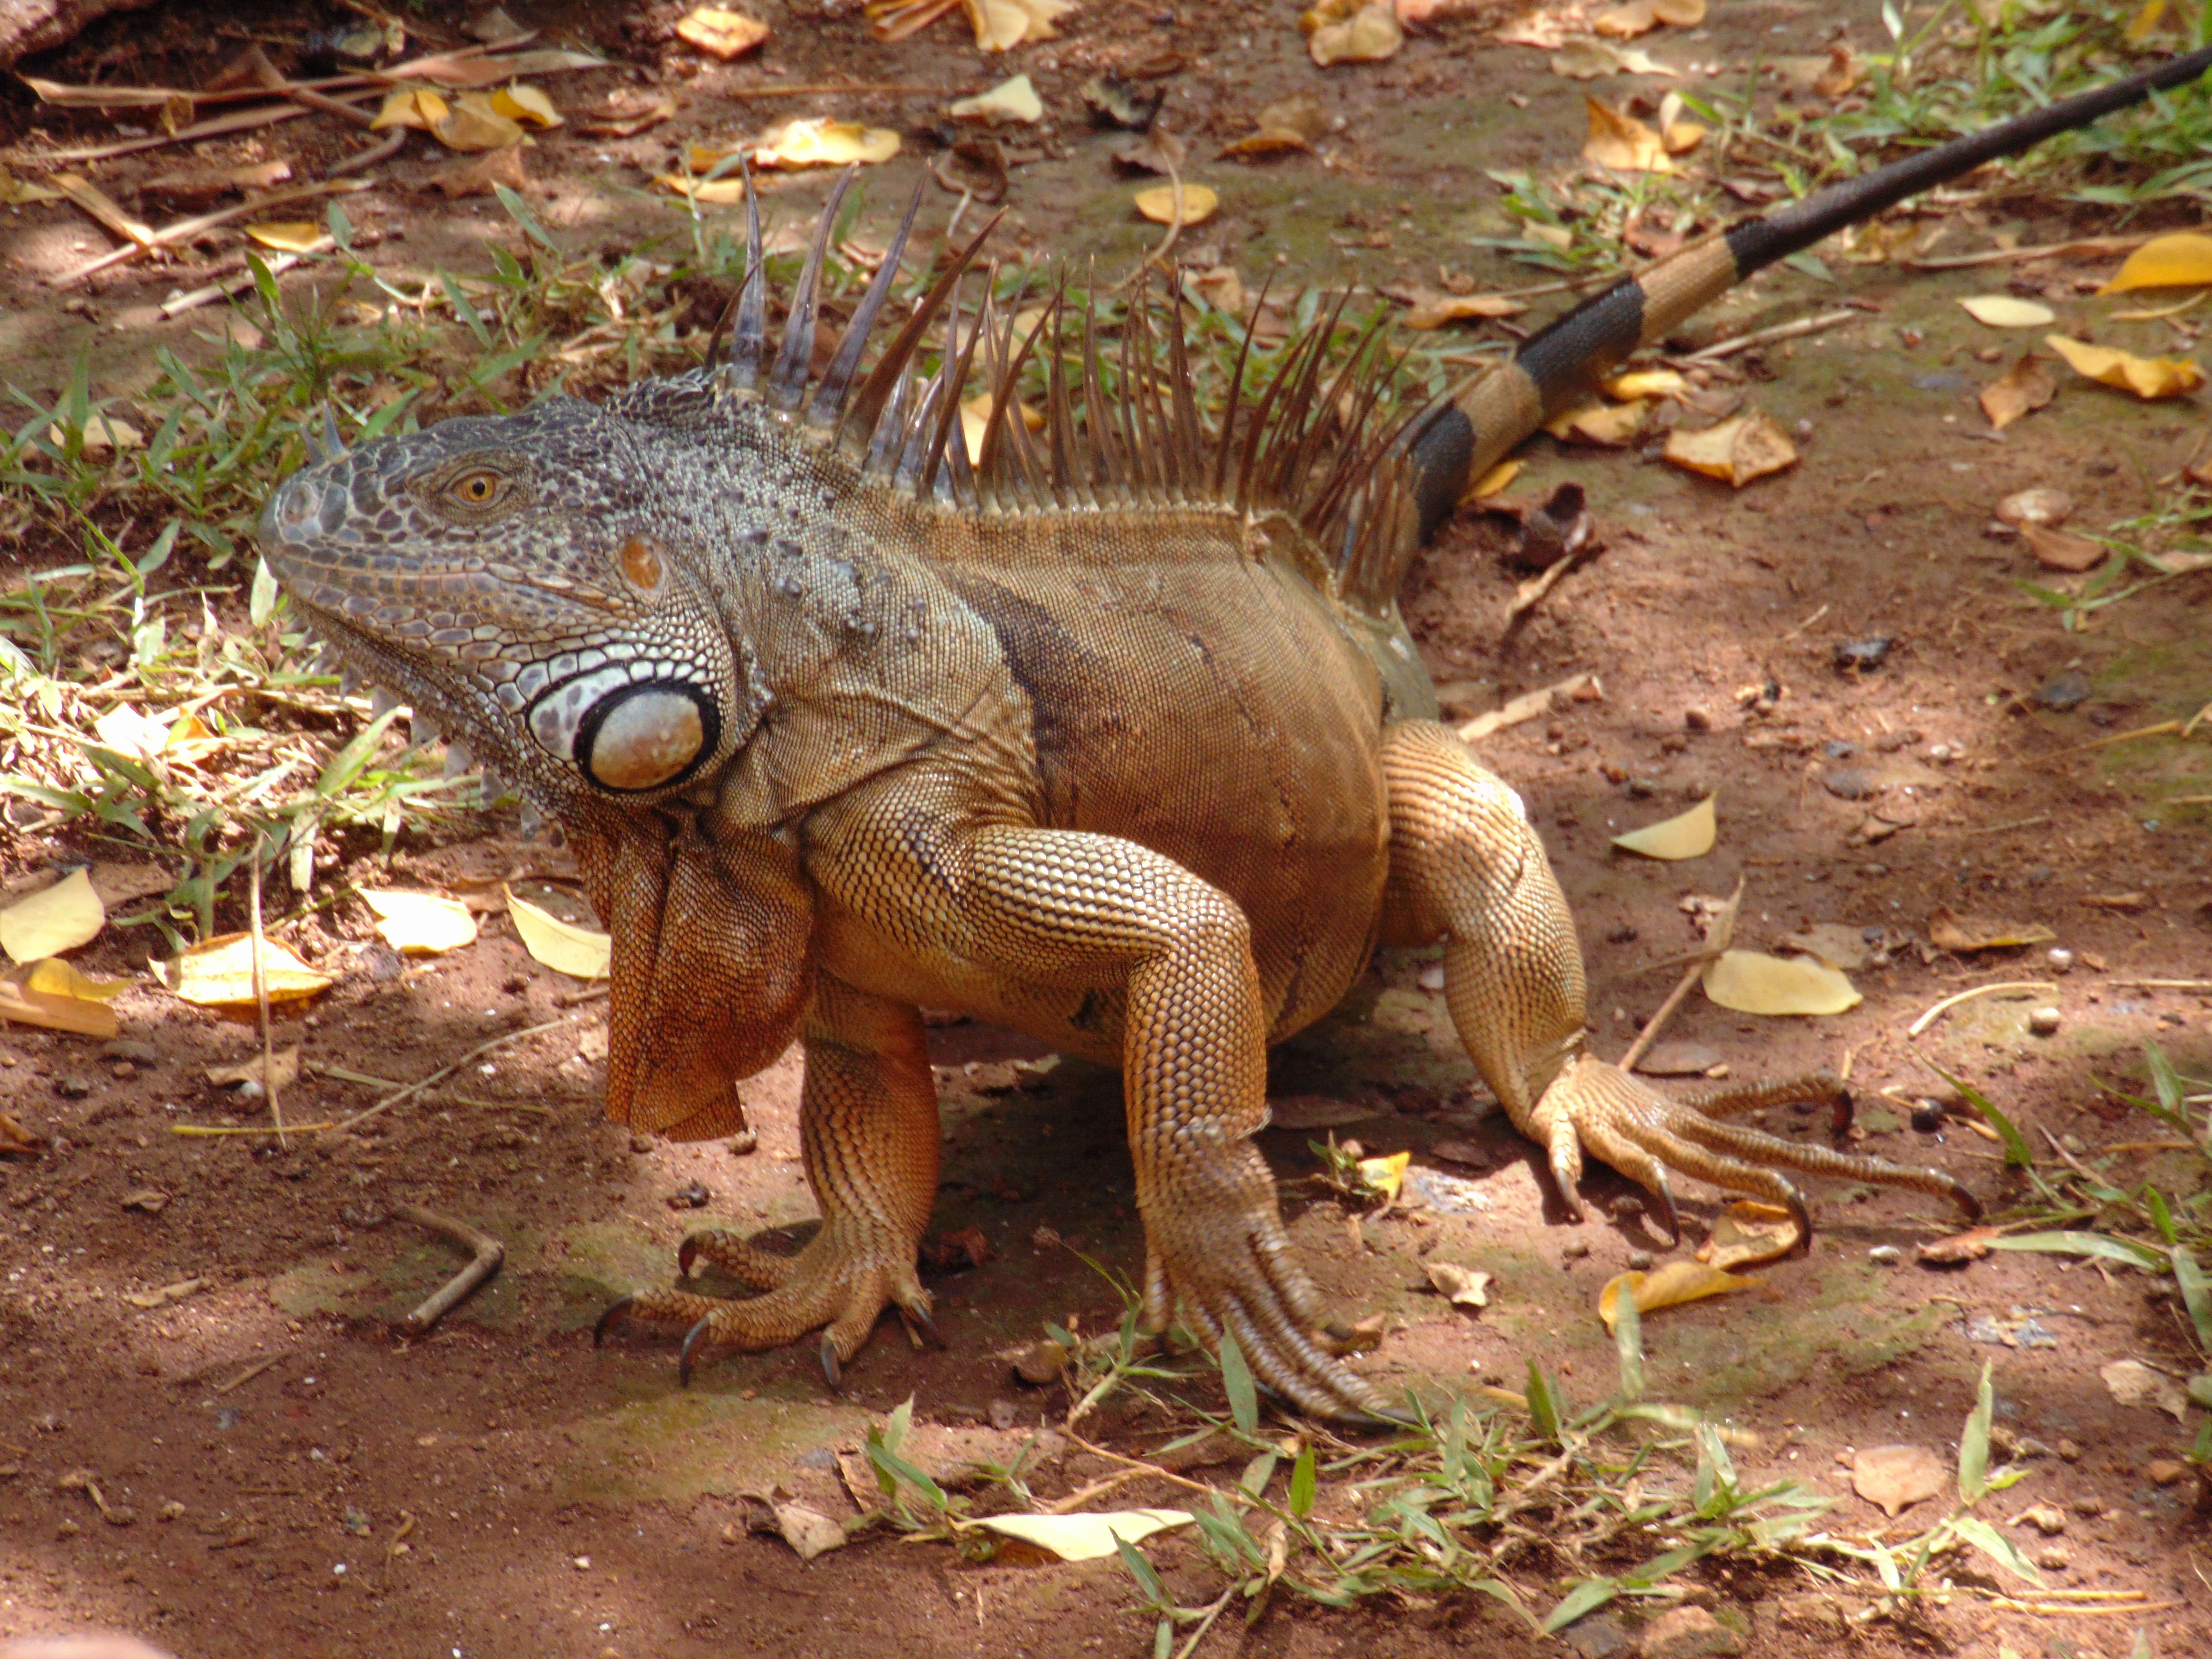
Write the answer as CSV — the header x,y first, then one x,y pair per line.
x,y
1642,1134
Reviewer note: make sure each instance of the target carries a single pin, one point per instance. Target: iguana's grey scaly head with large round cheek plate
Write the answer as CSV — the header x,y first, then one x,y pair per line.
x,y
523,585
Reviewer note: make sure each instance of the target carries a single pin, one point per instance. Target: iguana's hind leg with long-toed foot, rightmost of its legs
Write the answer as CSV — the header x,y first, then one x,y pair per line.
x,y
1472,873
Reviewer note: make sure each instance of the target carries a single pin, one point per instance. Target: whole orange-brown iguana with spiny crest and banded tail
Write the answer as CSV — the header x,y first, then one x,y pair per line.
x,y
1114,735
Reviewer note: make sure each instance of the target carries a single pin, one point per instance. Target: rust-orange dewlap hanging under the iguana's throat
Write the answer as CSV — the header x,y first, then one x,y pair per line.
x,y
713,972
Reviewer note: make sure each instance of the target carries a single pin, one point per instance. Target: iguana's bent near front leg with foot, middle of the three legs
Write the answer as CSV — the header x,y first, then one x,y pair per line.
x,y
1089,912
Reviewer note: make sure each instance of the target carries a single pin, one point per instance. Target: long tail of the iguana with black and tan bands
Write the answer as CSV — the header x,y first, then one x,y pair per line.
x,y
1558,366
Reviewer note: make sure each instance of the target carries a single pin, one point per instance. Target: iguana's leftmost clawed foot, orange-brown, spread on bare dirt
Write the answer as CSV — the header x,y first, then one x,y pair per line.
x,y
839,1284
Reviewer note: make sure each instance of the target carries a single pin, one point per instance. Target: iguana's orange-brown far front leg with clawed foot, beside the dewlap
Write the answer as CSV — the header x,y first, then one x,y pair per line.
x,y
868,1129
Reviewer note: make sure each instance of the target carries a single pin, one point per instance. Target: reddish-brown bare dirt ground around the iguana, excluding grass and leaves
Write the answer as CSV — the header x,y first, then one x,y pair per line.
x,y
300,1479
